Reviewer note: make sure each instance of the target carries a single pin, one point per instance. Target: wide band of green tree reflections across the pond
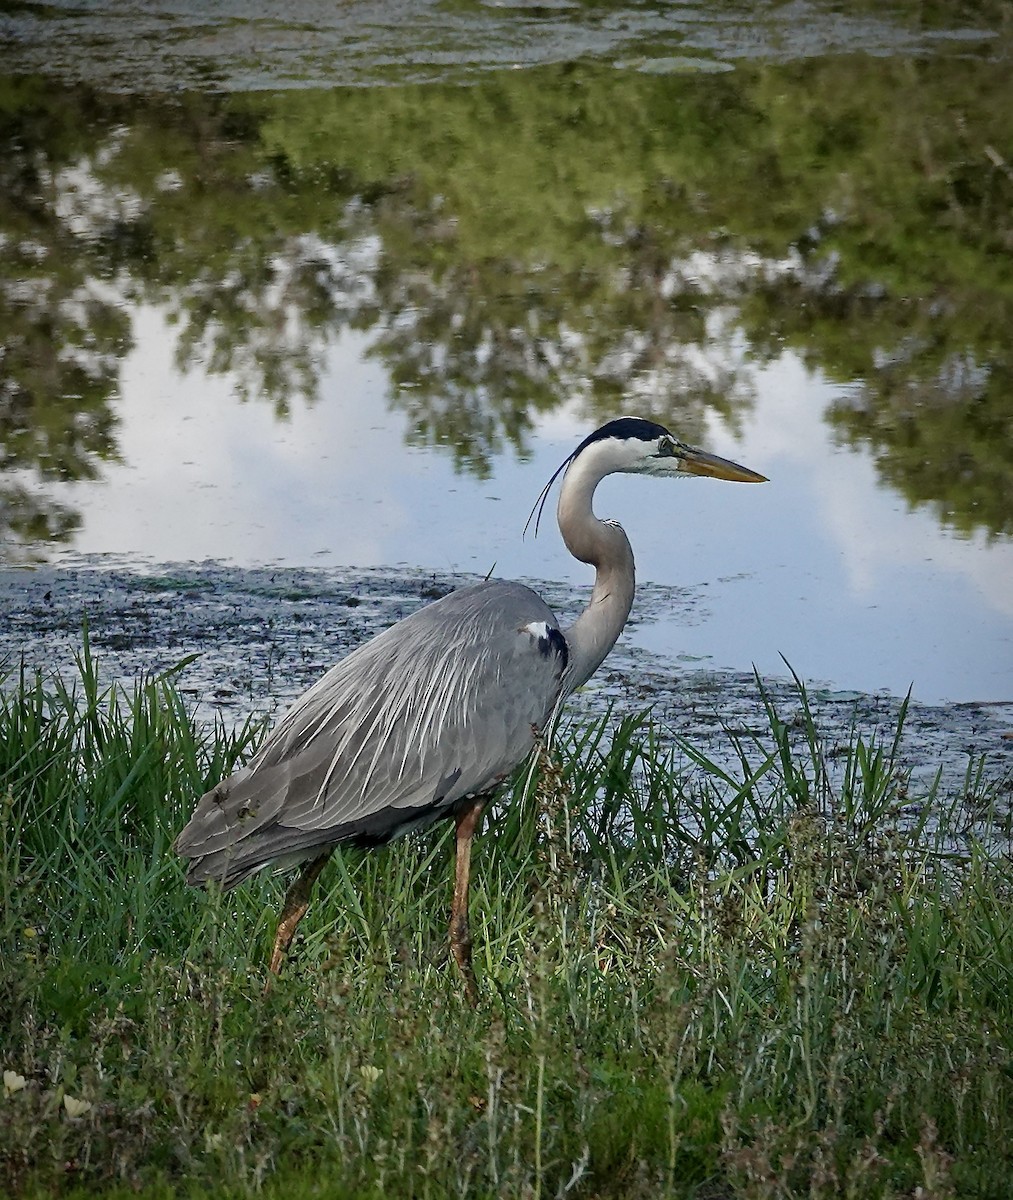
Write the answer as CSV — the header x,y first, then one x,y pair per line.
x,y
565,236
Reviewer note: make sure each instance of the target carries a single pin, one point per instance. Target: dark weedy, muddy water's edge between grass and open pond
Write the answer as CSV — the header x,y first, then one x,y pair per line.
x,y
261,637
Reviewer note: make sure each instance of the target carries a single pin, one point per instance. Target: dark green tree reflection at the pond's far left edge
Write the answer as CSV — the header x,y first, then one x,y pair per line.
x,y
62,332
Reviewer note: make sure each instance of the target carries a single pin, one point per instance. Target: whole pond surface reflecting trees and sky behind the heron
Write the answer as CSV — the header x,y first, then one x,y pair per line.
x,y
256,309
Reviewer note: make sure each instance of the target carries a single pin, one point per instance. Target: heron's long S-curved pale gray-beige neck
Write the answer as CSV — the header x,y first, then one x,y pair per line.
x,y
608,549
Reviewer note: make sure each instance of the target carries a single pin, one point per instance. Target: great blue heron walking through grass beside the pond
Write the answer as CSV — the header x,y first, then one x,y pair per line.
x,y
431,717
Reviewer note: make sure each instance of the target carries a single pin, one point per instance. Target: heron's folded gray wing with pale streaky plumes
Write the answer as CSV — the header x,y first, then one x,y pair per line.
x,y
439,707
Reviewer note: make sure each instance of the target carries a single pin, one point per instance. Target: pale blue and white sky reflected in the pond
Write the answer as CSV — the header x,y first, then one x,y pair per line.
x,y
820,566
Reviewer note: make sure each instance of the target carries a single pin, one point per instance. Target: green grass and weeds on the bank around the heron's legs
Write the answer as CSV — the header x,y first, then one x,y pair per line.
x,y
765,983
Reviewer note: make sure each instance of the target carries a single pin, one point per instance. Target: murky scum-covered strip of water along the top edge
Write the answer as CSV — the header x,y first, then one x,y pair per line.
x,y
309,44
